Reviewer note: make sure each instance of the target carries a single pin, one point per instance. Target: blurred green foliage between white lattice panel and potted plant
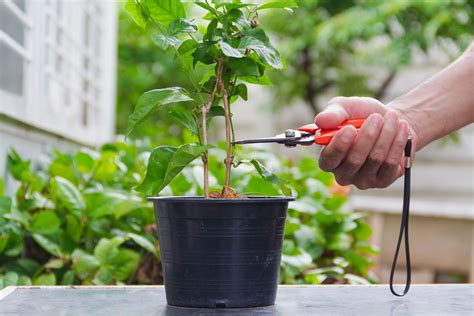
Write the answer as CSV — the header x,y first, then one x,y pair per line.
x,y
141,67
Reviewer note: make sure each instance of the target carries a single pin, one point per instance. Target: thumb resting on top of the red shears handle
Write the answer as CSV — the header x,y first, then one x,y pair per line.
x,y
341,109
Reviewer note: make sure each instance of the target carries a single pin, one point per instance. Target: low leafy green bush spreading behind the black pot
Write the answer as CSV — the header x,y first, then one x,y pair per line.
x,y
75,219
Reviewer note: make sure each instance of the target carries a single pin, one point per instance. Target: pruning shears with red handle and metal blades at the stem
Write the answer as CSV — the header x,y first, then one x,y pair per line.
x,y
304,135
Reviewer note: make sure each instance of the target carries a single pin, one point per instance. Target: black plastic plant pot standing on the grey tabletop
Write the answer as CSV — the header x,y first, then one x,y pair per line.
x,y
220,253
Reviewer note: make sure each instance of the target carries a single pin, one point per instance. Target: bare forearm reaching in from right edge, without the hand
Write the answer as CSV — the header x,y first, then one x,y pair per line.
x,y
442,104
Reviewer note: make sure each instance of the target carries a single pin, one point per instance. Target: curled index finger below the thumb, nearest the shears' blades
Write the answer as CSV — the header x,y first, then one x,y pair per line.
x,y
332,155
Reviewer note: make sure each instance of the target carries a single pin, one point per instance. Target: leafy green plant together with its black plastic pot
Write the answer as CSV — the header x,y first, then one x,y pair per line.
x,y
221,249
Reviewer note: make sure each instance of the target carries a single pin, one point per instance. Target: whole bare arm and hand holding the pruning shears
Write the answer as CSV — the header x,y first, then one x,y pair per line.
x,y
373,157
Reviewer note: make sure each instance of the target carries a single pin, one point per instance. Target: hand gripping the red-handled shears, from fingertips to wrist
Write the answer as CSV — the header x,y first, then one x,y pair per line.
x,y
372,157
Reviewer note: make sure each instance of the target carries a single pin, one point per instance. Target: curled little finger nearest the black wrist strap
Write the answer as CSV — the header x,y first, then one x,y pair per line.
x,y
390,169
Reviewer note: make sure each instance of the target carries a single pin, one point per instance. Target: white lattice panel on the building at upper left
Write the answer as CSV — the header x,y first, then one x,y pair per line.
x,y
57,61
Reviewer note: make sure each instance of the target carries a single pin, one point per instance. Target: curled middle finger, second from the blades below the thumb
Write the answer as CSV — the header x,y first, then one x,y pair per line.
x,y
365,141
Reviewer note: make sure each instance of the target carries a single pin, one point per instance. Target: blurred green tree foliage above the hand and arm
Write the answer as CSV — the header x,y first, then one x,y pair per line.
x,y
349,47
